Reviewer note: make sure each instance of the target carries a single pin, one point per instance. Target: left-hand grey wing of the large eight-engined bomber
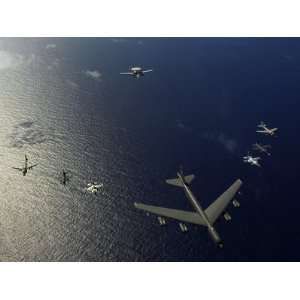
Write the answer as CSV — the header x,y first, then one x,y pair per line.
x,y
180,215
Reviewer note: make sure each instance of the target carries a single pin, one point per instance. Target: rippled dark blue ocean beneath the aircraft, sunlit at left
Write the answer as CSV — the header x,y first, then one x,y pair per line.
x,y
64,104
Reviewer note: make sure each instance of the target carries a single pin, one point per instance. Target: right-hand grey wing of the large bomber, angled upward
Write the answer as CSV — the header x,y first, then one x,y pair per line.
x,y
218,206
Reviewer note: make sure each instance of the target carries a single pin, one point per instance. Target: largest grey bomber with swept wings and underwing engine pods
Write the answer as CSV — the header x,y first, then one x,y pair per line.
x,y
207,217
